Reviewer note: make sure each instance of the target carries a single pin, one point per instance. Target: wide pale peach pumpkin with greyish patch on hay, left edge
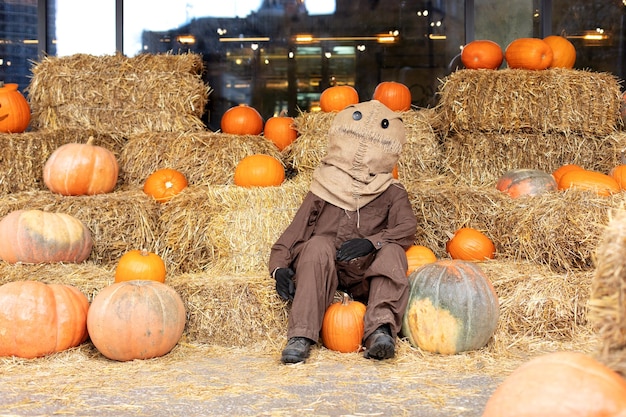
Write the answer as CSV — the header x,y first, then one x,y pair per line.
x,y
36,236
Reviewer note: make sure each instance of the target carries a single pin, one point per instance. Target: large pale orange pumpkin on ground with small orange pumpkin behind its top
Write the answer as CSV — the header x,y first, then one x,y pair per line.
x,y
136,320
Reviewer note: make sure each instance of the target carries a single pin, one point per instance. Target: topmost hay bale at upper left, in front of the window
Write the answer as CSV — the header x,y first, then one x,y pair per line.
x,y
114,93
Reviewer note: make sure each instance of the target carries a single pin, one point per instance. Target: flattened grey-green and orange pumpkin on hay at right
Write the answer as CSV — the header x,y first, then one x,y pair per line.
x,y
526,182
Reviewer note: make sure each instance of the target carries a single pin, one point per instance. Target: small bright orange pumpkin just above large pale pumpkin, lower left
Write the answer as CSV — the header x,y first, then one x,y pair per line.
x,y
140,264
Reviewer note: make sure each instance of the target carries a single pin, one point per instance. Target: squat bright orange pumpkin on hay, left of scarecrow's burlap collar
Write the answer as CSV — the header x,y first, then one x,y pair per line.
x,y
259,170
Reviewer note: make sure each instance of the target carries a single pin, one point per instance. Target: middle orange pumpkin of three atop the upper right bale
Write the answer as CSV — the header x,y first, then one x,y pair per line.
x,y
528,53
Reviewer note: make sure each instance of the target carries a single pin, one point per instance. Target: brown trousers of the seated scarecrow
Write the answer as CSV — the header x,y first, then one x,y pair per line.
x,y
317,280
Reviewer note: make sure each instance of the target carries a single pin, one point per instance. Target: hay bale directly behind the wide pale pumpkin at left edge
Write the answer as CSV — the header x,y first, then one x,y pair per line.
x,y
118,221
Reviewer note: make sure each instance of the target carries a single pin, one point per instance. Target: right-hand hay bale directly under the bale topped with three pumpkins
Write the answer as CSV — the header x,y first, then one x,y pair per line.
x,y
476,157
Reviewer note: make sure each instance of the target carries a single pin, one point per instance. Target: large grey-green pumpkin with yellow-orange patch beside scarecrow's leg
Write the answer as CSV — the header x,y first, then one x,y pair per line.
x,y
452,307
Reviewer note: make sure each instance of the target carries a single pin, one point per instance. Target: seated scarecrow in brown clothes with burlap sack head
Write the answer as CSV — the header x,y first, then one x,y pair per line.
x,y
350,233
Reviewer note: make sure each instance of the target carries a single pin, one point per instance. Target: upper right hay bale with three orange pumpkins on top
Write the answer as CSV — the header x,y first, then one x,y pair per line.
x,y
550,101
